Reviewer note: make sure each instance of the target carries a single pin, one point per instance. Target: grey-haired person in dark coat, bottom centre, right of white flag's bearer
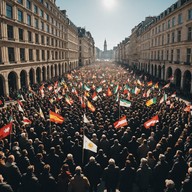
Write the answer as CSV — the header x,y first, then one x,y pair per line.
x,y
111,176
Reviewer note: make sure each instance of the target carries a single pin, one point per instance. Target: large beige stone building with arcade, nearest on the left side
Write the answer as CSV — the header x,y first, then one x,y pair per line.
x,y
37,42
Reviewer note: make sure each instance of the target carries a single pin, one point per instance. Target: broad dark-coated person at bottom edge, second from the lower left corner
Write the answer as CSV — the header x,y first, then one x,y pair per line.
x,y
29,182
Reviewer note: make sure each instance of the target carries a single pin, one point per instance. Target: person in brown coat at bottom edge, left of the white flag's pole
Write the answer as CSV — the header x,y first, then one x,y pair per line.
x,y
79,183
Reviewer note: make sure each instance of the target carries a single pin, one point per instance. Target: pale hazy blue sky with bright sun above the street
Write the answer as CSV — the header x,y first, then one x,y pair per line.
x,y
111,19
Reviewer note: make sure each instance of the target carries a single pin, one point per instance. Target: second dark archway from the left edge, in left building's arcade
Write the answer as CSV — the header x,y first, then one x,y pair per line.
x,y
12,82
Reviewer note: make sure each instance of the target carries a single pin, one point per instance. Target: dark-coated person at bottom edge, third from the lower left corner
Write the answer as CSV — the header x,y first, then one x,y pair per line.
x,y
47,181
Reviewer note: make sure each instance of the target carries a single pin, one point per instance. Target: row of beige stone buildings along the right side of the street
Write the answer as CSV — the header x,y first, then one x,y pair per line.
x,y
162,46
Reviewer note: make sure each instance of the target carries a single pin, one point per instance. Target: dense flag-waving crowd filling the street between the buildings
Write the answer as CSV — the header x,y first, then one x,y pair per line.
x,y
44,156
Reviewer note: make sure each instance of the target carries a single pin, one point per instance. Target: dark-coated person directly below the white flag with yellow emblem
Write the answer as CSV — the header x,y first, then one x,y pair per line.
x,y
93,172
